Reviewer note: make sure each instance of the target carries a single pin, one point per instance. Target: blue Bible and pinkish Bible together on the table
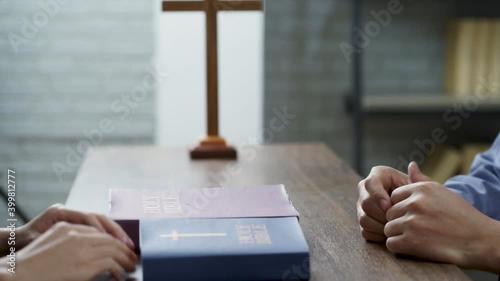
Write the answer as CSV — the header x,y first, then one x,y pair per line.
x,y
233,234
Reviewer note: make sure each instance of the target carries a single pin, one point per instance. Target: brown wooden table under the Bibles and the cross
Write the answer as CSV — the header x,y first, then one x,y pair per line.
x,y
321,186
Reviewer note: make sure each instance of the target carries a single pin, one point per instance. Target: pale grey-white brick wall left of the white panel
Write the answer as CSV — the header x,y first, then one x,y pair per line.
x,y
78,65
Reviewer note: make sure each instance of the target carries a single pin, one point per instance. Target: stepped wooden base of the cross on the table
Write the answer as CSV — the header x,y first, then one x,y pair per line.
x,y
213,148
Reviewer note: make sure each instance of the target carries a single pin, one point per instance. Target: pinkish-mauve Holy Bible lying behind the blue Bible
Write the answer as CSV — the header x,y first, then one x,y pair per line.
x,y
129,206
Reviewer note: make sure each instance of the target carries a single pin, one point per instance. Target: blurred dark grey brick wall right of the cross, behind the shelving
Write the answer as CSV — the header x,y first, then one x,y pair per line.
x,y
306,69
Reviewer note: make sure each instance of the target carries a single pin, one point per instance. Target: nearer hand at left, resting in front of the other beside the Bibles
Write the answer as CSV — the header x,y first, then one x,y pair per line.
x,y
73,252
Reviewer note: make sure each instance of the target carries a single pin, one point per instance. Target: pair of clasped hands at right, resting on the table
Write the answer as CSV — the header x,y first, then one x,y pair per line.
x,y
415,216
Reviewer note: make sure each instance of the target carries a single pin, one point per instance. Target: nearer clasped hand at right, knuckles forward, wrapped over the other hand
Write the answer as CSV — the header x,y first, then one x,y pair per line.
x,y
427,220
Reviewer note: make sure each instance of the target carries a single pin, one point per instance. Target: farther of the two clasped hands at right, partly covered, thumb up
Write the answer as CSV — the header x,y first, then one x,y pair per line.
x,y
374,197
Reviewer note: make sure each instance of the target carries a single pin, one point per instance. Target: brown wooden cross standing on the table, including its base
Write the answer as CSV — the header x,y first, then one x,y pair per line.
x,y
212,146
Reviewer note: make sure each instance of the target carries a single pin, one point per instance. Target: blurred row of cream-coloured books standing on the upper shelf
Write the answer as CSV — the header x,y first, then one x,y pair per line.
x,y
473,57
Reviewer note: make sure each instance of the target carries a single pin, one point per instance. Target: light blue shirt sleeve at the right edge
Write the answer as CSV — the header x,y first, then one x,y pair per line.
x,y
481,187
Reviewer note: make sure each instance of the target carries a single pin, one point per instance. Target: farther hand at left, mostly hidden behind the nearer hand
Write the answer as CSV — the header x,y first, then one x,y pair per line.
x,y
59,213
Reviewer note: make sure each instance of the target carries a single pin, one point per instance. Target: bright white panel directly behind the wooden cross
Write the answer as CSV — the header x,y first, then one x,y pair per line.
x,y
181,106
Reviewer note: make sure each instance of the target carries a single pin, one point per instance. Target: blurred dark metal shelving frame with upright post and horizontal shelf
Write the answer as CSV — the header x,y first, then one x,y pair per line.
x,y
423,105
